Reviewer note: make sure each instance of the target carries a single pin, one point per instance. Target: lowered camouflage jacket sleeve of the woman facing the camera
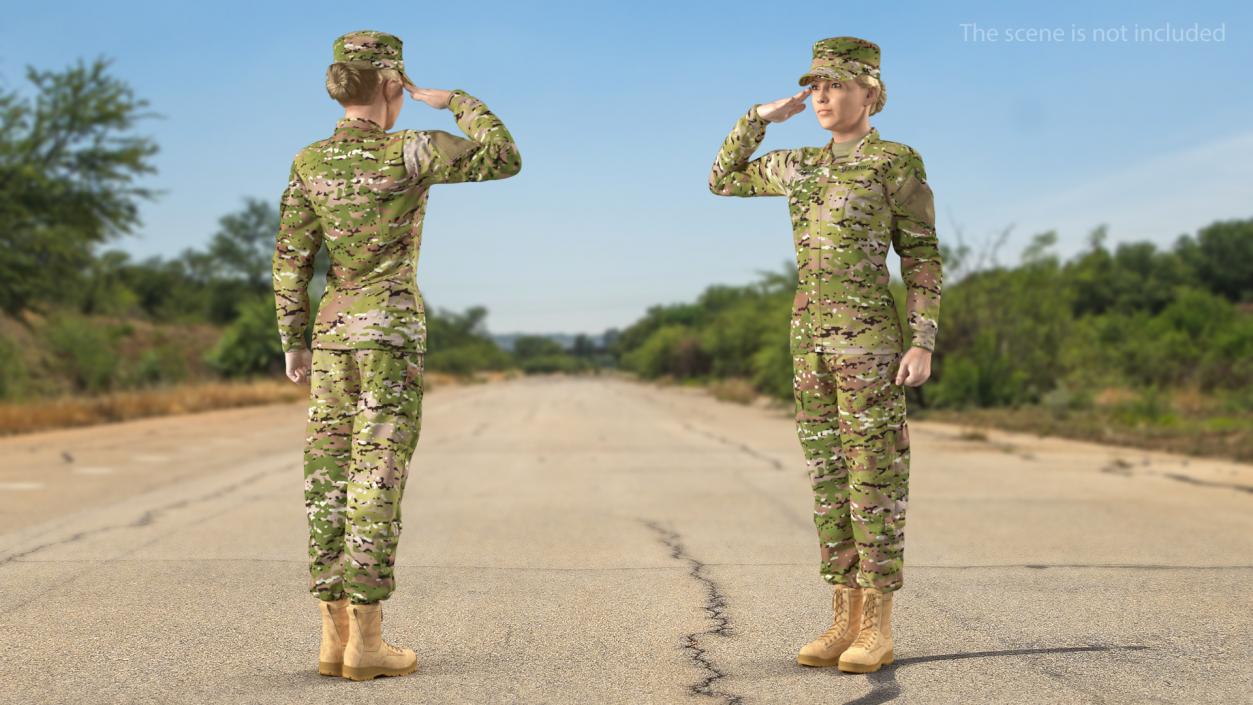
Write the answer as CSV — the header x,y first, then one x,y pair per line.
x,y
914,237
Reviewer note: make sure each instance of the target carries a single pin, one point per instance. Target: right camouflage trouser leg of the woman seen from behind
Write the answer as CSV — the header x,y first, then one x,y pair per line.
x,y
385,435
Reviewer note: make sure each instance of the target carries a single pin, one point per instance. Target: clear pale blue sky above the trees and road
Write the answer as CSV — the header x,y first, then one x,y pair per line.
x,y
620,110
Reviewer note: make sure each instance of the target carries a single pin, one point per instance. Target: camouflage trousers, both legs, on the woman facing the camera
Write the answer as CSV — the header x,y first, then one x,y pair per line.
x,y
851,423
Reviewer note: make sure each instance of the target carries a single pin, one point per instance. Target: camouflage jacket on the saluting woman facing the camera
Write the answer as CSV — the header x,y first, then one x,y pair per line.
x,y
845,212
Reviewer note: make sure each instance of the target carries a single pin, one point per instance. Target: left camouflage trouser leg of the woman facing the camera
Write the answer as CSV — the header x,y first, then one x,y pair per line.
x,y
819,430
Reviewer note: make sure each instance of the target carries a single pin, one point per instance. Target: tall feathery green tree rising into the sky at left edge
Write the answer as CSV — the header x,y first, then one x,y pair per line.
x,y
67,171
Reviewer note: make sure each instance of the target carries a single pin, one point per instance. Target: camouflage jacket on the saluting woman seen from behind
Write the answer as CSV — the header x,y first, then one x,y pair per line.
x,y
363,192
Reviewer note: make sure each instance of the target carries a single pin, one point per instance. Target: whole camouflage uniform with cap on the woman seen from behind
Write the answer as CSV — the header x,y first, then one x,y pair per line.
x,y
363,192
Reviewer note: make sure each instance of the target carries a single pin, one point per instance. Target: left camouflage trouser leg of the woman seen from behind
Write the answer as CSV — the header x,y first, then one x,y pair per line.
x,y
334,386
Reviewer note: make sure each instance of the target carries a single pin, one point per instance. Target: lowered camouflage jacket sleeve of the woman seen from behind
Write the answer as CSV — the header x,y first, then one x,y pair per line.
x,y
300,236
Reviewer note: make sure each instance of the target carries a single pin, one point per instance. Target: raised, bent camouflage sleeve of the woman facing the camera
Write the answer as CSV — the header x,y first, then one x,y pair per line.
x,y
734,175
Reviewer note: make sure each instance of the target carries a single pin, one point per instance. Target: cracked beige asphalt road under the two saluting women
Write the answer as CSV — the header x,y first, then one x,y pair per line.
x,y
596,542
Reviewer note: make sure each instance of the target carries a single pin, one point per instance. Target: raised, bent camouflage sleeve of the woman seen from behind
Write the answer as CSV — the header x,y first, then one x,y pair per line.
x,y
443,158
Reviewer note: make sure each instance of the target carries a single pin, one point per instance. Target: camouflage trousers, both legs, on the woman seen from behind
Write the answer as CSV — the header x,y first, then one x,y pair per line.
x,y
364,423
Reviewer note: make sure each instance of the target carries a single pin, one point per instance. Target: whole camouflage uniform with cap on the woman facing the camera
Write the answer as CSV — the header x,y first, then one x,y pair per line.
x,y
846,337
